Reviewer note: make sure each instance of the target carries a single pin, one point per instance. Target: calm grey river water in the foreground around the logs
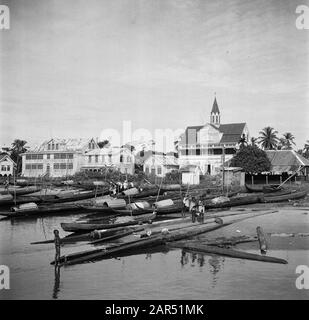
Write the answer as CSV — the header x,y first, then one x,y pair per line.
x,y
159,273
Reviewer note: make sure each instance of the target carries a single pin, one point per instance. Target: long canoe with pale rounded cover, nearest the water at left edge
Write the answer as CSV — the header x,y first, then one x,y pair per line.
x,y
32,209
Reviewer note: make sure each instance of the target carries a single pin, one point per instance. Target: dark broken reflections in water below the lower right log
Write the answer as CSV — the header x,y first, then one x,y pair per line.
x,y
215,262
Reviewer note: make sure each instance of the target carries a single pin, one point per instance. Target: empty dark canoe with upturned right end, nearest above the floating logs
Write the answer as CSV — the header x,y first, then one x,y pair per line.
x,y
82,227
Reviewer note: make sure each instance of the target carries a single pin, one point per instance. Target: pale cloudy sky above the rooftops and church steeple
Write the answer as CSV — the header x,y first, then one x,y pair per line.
x,y
73,68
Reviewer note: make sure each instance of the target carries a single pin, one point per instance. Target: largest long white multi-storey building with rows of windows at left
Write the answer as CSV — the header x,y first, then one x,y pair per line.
x,y
56,157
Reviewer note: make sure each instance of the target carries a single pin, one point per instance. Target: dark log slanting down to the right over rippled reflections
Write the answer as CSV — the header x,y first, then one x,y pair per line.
x,y
226,252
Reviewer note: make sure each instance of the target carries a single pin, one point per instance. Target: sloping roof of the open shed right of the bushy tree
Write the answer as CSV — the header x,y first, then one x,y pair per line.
x,y
286,160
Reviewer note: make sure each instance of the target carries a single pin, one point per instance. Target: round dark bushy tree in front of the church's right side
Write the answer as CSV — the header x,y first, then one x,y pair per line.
x,y
251,159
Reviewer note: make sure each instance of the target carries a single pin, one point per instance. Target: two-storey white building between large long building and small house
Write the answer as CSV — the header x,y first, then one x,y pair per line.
x,y
97,160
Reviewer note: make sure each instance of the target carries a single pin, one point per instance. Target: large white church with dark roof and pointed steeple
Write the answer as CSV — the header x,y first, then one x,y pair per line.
x,y
206,147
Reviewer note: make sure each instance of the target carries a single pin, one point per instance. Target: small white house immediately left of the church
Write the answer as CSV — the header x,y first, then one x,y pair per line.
x,y
160,164
